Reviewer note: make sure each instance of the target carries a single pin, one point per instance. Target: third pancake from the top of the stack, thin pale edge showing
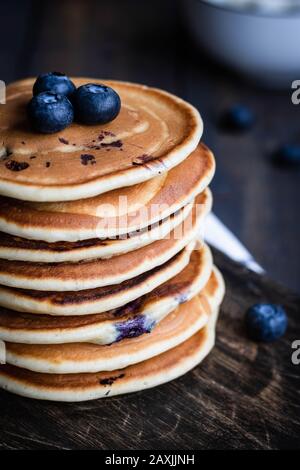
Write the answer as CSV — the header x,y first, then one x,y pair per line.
x,y
20,249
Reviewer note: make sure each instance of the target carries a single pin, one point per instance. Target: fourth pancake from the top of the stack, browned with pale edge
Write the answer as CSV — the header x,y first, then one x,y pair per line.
x,y
62,277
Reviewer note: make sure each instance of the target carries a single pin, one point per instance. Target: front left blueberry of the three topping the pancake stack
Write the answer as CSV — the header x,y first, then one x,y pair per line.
x,y
49,112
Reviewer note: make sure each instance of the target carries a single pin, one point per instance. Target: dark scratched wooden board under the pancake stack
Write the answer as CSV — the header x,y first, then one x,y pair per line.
x,y
243,396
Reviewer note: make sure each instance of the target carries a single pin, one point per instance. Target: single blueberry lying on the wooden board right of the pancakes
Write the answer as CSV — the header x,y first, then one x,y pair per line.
x,y
266,322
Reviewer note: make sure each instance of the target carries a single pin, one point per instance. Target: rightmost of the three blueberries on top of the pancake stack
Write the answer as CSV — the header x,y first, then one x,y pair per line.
x,y
96,104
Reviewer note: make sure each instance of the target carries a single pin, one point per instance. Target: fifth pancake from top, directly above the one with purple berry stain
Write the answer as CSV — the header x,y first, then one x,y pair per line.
x,y
104,298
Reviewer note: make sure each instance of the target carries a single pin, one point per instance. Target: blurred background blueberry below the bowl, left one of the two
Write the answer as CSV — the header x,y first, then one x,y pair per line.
x,y
237,118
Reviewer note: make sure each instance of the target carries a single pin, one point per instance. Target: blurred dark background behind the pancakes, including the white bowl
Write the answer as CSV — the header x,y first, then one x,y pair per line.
x,y
188,48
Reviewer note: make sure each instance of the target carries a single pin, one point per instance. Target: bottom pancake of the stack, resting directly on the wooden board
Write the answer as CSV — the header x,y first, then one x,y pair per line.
x,y
88,386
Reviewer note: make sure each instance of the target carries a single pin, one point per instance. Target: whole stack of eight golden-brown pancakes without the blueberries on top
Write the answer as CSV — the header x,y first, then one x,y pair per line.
x,y
105,285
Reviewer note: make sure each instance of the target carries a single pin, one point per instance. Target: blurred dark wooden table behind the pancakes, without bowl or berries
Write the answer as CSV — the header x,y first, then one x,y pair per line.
x,y
146,41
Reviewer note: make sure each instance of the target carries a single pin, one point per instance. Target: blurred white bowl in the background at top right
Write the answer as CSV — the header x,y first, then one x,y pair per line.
x,y
262,46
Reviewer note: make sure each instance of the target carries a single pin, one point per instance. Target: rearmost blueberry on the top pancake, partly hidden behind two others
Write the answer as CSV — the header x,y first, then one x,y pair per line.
x,y
54,81
